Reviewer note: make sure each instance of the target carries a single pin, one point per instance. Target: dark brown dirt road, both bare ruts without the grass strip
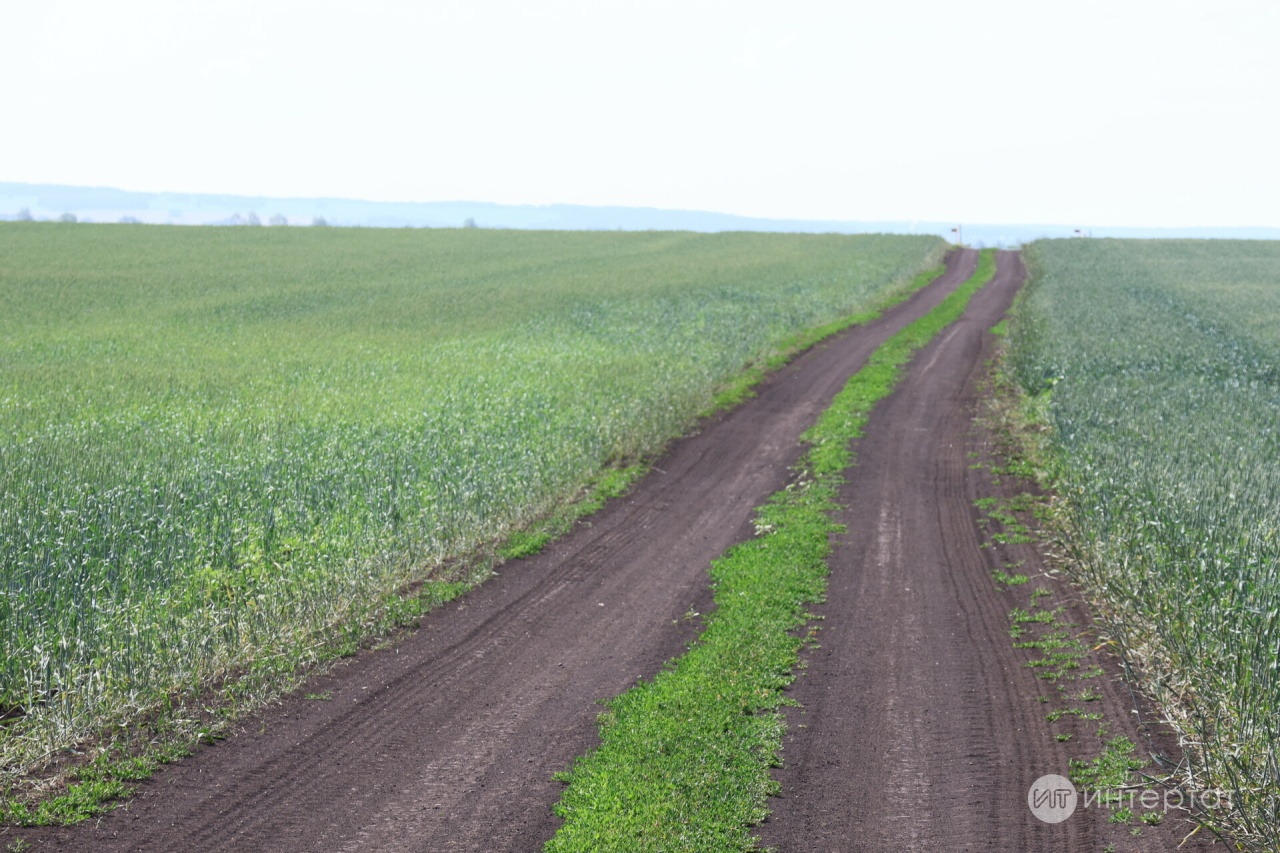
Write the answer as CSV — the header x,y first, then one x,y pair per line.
x,y
920,727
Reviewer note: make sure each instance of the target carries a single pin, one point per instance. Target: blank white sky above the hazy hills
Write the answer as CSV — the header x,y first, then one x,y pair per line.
x,y
1103,113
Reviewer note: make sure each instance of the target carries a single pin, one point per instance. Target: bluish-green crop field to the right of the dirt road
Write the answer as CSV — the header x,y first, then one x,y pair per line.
x,y
1153,367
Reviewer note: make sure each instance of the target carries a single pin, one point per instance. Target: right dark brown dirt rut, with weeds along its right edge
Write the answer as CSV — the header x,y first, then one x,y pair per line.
x,y
920,727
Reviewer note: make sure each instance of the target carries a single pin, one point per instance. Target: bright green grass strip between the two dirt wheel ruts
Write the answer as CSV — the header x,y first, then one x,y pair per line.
x,y
684,760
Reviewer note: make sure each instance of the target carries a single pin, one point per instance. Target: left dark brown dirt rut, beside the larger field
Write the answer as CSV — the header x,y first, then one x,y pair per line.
x,y
449,742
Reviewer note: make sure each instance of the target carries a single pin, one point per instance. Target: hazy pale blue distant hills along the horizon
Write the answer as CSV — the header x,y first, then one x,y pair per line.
x,y
104,204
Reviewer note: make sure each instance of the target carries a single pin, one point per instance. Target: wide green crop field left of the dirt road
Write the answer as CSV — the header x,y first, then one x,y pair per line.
x,y
228,453
